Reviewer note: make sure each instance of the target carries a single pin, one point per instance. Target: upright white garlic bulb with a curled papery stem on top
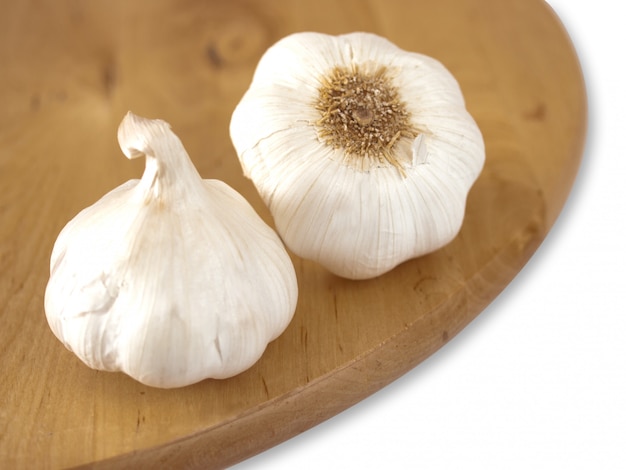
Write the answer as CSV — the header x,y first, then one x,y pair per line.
x,y
171,279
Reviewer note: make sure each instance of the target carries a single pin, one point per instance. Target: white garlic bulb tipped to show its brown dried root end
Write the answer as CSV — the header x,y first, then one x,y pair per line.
x,y
364,153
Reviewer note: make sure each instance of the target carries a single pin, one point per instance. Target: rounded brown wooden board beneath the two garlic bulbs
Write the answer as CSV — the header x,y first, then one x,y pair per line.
x,y
70,70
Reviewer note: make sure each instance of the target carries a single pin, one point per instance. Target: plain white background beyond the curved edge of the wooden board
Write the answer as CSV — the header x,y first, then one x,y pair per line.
x,y
538,380
